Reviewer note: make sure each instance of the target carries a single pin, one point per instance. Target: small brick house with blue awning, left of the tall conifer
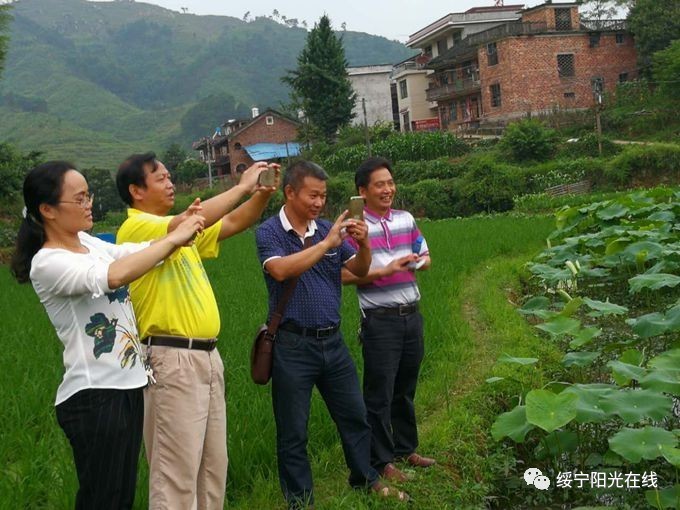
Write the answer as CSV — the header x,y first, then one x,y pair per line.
x,y
268,136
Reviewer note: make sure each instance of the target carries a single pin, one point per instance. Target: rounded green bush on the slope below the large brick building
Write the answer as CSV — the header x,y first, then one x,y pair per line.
x,y
529,140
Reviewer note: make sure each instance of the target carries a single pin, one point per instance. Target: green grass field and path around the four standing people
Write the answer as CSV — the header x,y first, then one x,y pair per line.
x,y
467,324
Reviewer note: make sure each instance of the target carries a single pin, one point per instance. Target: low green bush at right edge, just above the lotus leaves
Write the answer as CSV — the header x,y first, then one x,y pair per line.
x,y
645,164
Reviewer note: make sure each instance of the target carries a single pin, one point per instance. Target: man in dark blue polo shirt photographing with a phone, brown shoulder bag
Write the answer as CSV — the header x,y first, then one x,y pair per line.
x,y
309,350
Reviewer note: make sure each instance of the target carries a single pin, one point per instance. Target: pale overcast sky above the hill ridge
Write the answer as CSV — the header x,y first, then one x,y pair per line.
x,y
394,19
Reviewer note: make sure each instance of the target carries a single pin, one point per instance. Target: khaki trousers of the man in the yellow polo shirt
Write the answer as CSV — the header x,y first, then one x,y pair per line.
x,y
185,430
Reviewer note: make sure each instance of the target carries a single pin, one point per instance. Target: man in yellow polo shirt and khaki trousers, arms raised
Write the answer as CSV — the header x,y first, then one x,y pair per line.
x,y
185,424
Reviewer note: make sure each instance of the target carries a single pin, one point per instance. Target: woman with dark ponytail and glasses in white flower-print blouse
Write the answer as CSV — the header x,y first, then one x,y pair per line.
x,y
81,281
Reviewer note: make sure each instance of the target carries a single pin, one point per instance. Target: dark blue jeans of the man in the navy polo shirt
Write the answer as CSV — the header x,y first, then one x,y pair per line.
x,y
300,363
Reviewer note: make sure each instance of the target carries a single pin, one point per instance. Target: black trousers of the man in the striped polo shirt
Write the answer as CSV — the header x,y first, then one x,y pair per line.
x,y
393,351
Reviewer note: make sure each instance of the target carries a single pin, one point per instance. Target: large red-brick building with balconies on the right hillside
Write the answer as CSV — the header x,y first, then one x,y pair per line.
x,y
549,59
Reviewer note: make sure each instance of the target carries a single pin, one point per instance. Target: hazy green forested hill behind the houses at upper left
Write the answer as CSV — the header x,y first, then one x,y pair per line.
x,y
92,81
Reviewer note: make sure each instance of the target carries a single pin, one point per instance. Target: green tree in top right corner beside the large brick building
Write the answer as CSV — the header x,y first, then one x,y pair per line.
x,y
654,23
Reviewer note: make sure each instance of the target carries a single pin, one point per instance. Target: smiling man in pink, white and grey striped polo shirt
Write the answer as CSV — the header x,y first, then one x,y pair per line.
x,y
392,326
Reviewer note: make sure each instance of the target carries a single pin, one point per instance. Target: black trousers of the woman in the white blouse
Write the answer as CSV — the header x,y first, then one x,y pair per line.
x,y
104,427
